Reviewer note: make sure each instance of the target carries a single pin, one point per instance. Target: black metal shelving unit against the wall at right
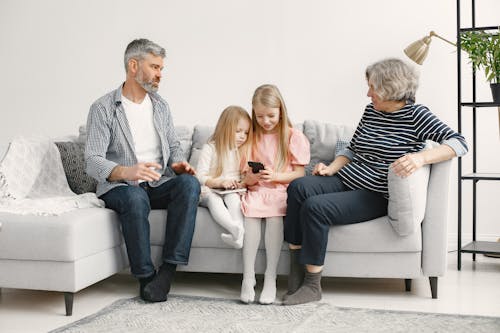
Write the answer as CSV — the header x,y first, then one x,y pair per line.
x,y
475,246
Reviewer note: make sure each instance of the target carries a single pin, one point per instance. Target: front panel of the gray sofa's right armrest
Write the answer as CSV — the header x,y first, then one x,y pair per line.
x,y
434,226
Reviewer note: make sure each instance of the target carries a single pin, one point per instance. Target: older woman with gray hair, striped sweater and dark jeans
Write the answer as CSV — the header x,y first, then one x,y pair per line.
x,y
353,187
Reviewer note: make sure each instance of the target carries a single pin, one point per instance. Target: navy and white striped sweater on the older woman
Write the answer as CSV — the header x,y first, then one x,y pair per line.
x,y
383,137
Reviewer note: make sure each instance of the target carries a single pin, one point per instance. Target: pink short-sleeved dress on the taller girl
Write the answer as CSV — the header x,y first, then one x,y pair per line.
x,y
268,199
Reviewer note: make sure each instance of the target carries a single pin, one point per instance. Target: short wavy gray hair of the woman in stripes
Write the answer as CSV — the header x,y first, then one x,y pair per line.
x,y
393,80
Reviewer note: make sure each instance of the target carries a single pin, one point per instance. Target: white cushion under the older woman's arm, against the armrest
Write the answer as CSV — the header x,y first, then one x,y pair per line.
x,y
407,200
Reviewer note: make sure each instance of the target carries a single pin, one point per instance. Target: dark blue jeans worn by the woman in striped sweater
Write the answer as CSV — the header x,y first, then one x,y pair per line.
x,y
315,203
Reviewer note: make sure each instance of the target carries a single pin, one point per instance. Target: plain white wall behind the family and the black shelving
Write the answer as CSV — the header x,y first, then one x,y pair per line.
x,y
58,56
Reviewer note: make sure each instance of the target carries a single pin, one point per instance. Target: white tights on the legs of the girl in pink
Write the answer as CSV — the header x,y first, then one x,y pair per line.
x,y
273,241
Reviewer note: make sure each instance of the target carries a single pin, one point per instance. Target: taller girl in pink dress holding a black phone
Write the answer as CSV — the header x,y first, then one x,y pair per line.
x,y
284,151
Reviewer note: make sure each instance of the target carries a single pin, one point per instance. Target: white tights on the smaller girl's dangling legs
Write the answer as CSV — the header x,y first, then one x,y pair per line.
x,y
226,211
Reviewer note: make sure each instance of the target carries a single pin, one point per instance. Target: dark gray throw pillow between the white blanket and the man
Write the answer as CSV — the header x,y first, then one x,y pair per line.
x,y
72,157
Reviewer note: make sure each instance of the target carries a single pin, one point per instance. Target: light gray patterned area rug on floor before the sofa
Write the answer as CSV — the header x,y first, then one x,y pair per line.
x,y
201,314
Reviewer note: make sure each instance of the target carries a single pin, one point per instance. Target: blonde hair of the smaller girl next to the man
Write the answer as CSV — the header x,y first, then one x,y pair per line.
x,y
223,137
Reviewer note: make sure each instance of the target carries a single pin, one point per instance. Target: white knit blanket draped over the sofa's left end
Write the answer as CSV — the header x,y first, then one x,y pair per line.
x,y
32,180
